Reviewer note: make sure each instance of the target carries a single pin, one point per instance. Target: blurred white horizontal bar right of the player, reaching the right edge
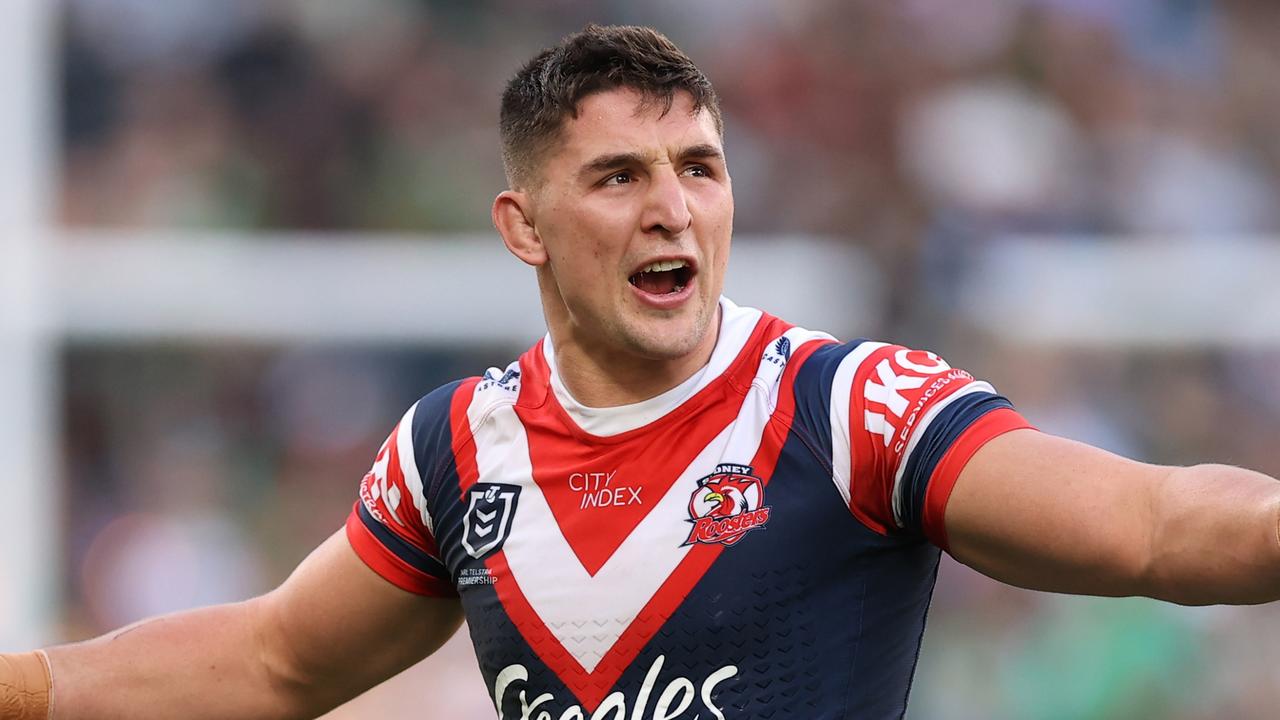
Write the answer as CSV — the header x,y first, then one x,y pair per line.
x,y
1156,293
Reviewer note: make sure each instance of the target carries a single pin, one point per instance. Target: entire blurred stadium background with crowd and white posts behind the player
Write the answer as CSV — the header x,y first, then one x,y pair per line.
x,y
243,236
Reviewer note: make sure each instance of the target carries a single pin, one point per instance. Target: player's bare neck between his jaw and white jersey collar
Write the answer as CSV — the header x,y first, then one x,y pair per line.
x,y
604,377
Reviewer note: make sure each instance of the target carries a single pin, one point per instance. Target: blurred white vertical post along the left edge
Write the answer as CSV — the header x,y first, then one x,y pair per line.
x,y
29,472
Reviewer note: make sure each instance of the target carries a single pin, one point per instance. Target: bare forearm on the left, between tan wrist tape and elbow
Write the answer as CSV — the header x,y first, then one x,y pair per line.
x,y
214,663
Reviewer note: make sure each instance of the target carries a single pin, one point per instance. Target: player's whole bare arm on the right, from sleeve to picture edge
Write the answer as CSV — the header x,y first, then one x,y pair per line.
x,y
1045,513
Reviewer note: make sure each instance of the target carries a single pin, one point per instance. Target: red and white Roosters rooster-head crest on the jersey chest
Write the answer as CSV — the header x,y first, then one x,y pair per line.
x,y
726,505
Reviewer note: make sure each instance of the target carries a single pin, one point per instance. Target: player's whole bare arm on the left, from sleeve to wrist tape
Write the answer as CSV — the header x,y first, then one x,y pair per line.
x,y
331,632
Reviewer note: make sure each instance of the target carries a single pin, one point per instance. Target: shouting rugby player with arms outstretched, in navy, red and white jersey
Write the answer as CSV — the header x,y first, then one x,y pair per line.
x,y
670,508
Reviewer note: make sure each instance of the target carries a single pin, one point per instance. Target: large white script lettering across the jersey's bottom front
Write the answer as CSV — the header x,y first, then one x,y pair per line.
x,y
673,703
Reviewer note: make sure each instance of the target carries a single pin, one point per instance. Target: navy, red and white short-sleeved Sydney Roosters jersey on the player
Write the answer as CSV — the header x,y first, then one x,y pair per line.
x,y
761,541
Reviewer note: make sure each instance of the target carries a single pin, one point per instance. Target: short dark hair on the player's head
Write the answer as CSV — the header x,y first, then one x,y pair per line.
x,y
600,58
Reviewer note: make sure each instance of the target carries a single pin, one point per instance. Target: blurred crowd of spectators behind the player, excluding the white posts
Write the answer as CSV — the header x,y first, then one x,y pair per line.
x,y
918,131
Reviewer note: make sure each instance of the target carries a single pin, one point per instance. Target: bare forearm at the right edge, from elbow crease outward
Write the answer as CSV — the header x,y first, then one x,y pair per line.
x,y
1217,537
